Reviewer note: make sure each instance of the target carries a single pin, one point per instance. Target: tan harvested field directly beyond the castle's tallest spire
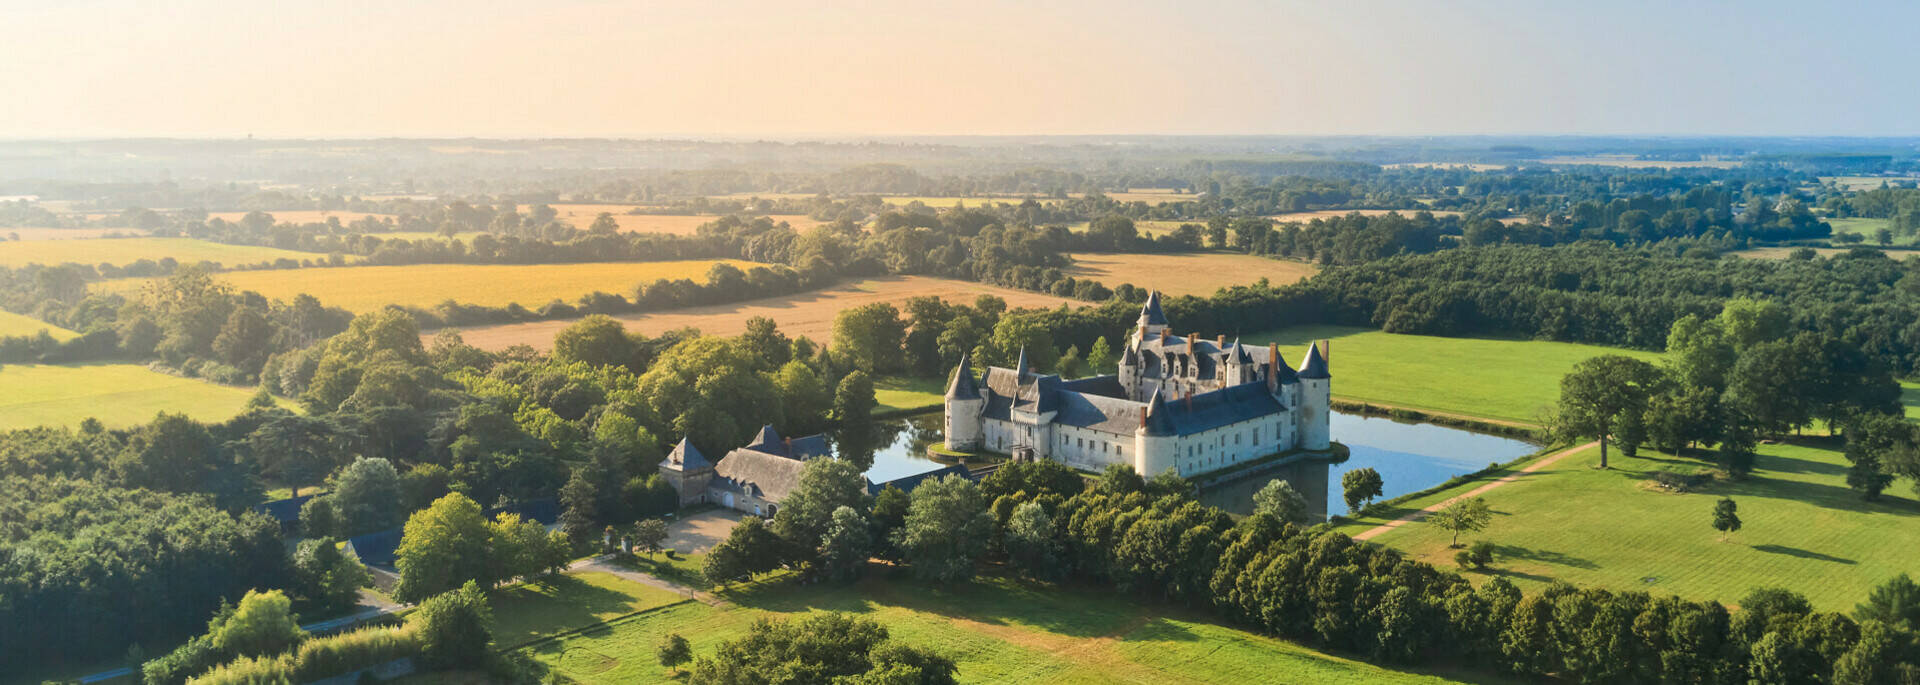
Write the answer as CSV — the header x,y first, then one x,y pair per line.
x,y
1188,273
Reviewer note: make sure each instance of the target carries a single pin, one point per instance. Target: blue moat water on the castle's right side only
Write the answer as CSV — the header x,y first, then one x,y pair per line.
x,y
1410,458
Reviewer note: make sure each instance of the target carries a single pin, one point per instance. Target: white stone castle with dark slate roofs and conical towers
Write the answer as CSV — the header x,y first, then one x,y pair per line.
x,y
1180,402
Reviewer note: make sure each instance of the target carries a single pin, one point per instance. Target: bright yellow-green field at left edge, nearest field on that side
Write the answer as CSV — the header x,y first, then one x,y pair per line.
x,y
116,394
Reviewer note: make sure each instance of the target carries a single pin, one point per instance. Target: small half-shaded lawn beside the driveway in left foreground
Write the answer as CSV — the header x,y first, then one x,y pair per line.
x,y
544,607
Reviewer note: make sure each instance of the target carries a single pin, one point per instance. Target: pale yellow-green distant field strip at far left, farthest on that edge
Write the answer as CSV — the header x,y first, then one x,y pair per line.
x,y
128,250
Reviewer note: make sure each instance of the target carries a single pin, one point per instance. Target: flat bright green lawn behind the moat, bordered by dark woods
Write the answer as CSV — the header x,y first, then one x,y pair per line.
x,y
1495,379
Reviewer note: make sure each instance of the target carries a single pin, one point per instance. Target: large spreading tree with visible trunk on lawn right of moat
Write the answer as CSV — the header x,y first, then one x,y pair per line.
x,y
1600,392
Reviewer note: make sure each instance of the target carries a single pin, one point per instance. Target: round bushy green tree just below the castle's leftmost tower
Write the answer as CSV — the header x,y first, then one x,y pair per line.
x,y
948,529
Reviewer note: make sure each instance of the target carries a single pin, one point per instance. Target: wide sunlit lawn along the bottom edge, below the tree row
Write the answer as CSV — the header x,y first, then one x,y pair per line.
x,y
996,630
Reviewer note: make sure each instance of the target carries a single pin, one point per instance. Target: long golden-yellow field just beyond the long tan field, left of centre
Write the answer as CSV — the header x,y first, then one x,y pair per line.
x,y
370,289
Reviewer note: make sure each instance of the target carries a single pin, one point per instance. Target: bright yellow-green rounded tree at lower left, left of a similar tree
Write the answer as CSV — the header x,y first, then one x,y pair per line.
x,y
443,548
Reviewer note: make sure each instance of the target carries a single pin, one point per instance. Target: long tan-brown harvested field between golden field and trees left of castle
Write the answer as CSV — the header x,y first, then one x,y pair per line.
x,y
809,314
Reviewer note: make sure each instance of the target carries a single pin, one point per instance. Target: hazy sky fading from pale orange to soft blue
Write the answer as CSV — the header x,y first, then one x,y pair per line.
x,y
792,70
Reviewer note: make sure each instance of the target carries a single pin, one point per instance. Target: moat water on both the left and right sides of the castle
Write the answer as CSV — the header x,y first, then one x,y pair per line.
x,y
1408,456
